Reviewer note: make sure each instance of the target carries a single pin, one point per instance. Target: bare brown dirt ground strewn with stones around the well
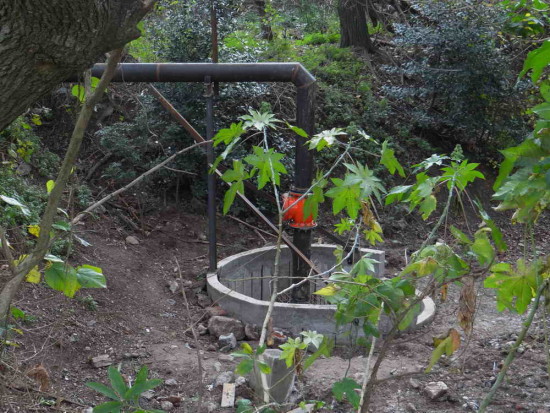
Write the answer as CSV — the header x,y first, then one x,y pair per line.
x,y
138,321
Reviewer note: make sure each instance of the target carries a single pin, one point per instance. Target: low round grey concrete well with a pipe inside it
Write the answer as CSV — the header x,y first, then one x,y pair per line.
x,y
241,286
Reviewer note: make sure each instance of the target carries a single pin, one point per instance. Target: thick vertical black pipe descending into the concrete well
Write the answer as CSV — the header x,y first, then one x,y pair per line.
x,y
305,119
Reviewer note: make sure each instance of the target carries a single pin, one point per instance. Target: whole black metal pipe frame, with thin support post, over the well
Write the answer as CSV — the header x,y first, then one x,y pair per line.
x,y
292,72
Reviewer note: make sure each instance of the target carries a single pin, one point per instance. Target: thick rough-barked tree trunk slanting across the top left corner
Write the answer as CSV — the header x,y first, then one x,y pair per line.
x,y
42,42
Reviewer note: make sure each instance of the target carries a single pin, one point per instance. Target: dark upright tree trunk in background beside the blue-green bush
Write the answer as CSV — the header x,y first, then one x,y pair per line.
x,y
353,25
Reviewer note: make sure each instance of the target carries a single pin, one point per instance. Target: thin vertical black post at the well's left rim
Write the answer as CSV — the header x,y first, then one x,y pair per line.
x,y
212,248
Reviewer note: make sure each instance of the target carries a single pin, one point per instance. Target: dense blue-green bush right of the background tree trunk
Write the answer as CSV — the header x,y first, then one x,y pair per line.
x,y
458,82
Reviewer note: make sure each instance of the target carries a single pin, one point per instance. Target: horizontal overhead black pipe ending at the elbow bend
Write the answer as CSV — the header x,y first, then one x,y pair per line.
x,y
218,72
